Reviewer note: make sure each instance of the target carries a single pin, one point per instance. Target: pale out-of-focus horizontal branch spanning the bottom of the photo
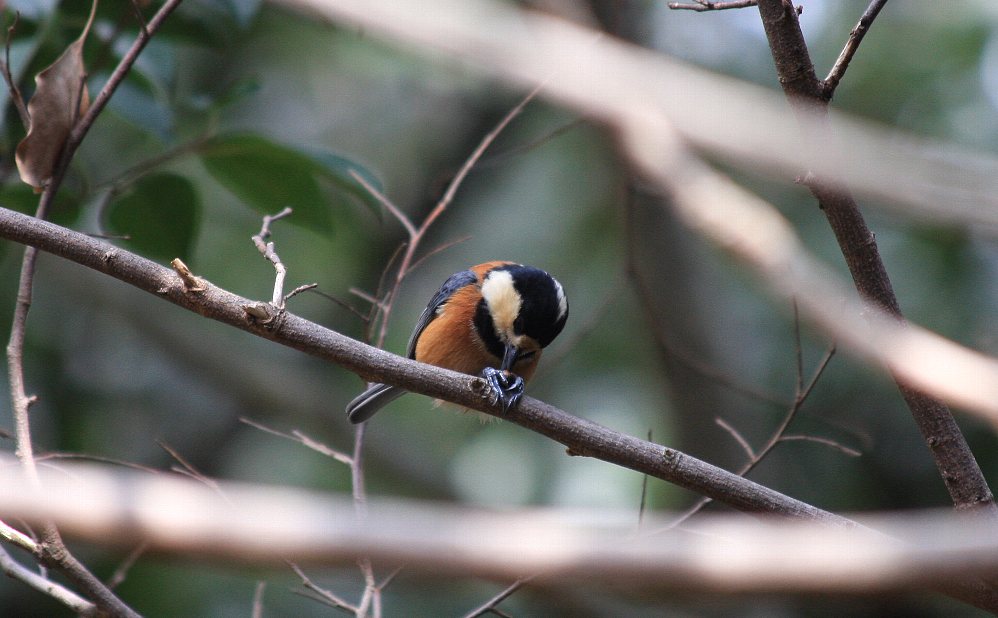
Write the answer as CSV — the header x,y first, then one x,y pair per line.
x,y
256,524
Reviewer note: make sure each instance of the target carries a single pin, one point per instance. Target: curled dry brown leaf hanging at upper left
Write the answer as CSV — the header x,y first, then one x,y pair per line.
x,y
60,99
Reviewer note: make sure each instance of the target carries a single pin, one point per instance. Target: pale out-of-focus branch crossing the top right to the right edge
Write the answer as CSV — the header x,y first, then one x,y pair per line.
x,y
912,177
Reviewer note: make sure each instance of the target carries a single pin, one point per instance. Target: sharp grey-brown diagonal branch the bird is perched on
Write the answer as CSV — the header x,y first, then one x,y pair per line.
x,y
582,437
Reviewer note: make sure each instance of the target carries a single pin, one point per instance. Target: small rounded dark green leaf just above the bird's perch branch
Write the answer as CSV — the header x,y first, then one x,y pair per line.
x,y
160,216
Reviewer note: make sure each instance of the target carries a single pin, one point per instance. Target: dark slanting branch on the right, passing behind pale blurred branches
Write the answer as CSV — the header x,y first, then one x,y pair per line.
x,y
960,472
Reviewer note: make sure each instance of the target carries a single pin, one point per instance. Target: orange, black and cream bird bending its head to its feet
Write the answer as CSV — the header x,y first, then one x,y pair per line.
x,y
491,320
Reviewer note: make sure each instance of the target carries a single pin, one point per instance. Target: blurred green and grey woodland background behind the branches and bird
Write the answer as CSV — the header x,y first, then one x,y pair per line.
x,y
239,108
